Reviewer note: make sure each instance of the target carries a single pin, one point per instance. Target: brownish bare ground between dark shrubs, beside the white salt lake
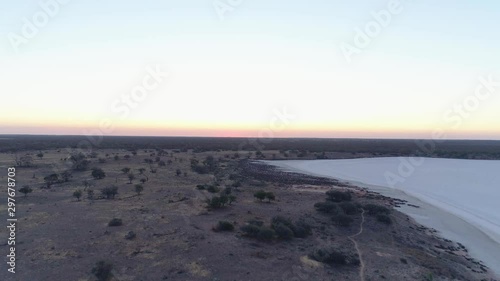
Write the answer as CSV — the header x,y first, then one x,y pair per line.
x,y
60,238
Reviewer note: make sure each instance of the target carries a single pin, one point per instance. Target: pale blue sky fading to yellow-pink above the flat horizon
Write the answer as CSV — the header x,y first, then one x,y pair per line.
x,y
259,68
